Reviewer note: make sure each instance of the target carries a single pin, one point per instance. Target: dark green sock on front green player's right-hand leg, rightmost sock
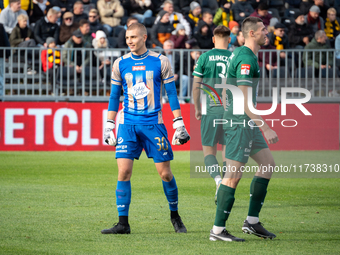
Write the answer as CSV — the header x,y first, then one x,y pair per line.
x,y
258,191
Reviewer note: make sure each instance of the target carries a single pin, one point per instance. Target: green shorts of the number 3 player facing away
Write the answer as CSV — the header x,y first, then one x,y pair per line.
x,y
211,135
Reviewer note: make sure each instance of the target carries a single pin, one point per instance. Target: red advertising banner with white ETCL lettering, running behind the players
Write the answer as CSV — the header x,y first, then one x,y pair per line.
x,y
33,126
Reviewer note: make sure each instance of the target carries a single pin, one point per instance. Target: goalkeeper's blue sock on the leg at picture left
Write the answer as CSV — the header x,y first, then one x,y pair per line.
x,y
123,197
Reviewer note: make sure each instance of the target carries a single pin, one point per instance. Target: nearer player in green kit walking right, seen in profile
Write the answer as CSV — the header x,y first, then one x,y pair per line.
x,y
244,139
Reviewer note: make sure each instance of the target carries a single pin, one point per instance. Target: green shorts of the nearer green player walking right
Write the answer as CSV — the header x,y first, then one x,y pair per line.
x,y
242,143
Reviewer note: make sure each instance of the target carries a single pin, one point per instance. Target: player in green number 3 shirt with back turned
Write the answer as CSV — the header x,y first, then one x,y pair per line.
x,y
211,67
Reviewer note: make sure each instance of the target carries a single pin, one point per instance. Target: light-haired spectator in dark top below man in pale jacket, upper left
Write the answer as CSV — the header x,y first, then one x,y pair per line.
x,y
22,35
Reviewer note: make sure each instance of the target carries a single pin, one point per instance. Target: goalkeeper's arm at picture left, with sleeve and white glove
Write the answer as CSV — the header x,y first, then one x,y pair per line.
x,y
116,86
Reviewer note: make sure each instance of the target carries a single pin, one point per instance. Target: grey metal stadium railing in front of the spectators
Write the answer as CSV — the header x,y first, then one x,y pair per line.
x,y
25,80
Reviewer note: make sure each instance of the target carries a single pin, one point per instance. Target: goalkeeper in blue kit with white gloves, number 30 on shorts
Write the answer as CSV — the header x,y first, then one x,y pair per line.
x,y
141,73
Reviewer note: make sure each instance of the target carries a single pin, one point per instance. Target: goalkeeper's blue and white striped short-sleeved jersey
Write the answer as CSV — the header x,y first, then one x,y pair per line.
x,y
142,78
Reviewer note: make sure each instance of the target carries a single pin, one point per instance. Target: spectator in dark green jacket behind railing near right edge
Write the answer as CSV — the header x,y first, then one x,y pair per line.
x,y
319,42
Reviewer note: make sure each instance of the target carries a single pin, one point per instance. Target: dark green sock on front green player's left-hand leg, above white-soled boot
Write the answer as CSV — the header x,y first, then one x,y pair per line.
x,y
225,201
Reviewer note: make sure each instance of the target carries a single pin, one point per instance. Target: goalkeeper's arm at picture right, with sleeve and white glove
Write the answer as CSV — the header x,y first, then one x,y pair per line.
x,y
181,135
